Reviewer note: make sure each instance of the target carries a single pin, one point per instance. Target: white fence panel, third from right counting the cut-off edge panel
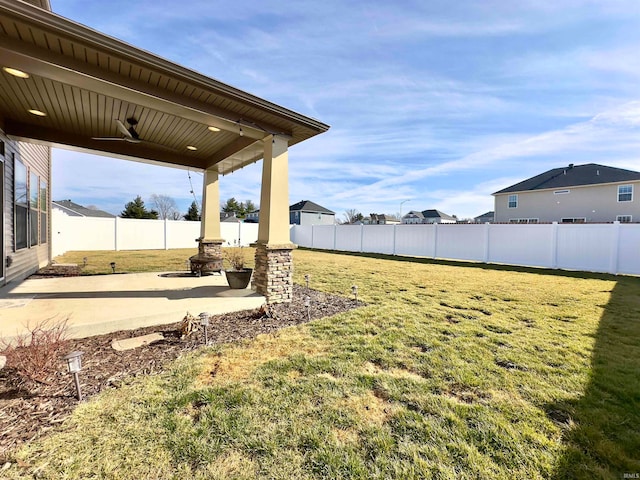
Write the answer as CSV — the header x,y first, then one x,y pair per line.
x,y
529,245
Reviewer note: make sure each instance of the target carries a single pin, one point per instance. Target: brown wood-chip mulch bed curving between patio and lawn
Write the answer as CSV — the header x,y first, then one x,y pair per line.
x,y
30,409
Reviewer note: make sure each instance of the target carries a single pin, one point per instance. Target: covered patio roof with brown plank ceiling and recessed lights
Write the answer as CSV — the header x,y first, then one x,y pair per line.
x,y
85,81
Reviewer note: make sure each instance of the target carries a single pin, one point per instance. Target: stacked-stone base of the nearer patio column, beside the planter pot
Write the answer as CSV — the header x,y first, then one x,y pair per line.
x,y
273,272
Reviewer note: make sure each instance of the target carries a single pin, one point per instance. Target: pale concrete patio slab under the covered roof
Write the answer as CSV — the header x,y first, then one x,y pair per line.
x,y
94,305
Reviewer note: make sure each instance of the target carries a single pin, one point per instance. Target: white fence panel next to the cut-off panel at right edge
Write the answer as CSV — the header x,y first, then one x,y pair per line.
x,y
585,247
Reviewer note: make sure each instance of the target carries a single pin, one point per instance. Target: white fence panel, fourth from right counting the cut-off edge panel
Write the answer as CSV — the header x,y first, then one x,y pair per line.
x,y
462,242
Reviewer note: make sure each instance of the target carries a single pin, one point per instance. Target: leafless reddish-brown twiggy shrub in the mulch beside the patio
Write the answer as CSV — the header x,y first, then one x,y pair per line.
x,y
36,354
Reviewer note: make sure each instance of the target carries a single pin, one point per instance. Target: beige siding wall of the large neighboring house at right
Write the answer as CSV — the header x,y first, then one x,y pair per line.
x,y
594,203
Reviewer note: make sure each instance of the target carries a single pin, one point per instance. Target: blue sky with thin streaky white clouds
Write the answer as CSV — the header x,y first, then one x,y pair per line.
x,y
439,103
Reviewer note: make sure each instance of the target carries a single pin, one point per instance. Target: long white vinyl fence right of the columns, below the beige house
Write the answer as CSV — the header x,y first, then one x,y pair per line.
x,y
608,248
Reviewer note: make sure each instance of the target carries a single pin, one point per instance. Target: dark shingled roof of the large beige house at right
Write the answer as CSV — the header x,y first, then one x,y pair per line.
x,y
573,176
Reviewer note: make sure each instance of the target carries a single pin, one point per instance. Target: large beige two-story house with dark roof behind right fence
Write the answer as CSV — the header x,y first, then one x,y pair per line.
x,y
572,194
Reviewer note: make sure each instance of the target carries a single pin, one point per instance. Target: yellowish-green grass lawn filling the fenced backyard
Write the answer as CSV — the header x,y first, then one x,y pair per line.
x,y
451,371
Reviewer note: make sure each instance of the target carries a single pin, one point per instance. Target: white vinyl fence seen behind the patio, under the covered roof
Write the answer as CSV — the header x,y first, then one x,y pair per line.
x,y
88,233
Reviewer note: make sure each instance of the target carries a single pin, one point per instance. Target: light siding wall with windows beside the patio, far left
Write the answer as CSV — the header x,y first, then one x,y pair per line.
x,y
37,159
